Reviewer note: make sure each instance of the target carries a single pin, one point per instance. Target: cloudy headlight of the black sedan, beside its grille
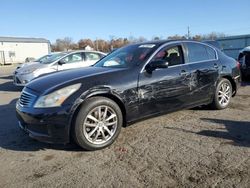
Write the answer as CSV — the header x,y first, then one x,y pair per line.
x,y
56,98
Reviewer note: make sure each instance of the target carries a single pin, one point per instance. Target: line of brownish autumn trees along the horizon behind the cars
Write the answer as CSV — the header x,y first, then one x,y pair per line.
x,y
67,43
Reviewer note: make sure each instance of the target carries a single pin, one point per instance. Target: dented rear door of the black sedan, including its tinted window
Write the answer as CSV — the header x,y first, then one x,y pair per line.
x,y
204,68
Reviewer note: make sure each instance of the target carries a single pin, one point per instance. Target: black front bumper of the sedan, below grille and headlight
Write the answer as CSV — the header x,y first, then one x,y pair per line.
x,y
49,125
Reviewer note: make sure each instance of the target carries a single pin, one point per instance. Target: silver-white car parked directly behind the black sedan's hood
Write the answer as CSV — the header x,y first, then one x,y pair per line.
x,y
56,62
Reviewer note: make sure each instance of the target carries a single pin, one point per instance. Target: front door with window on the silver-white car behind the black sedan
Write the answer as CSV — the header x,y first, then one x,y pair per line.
x,y
71,61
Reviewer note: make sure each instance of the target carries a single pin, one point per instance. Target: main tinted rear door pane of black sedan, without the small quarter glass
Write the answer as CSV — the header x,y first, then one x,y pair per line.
x,y
197,52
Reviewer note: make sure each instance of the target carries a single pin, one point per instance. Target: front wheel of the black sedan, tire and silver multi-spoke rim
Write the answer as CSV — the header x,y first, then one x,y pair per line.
x,y
98,123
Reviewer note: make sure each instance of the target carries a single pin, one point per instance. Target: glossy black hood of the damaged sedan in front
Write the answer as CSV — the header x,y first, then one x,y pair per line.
x,y
51,81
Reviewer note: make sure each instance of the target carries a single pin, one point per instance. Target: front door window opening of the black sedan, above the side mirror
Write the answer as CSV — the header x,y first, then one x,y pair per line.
x,y
172,55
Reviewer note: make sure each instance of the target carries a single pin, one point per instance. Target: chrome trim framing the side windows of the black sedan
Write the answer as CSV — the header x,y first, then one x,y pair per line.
x,y
185,63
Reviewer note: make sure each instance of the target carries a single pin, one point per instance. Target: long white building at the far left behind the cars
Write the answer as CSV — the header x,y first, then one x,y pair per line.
x,y
16,49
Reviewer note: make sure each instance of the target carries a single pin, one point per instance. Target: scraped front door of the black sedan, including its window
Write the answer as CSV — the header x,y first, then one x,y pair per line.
x,y
165,89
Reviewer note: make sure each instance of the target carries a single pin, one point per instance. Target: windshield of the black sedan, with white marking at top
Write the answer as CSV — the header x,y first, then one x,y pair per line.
x,y
127,56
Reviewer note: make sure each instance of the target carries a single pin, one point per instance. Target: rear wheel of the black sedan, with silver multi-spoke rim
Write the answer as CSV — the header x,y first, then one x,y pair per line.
x,y
222,95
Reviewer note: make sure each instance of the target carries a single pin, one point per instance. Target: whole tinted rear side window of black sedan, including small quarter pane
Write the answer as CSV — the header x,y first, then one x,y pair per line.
x,y
198,52
